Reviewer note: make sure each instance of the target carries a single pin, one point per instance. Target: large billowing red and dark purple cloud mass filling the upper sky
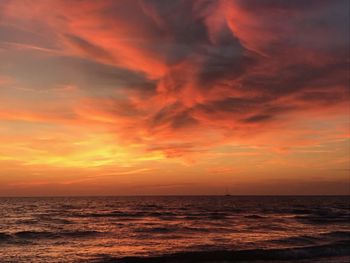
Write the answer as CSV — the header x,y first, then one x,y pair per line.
x,y
184,75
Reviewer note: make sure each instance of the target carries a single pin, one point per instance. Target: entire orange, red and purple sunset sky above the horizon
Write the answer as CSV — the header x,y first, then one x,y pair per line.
x,y
165,97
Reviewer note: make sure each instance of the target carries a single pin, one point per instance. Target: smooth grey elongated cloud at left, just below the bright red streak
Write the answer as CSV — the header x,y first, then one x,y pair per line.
x,y
89,75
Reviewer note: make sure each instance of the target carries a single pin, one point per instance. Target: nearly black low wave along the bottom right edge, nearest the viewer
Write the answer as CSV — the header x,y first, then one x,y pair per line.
x,y
338,249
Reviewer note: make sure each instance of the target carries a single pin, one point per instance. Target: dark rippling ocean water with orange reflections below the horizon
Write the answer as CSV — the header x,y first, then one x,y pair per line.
x,y
175,229
